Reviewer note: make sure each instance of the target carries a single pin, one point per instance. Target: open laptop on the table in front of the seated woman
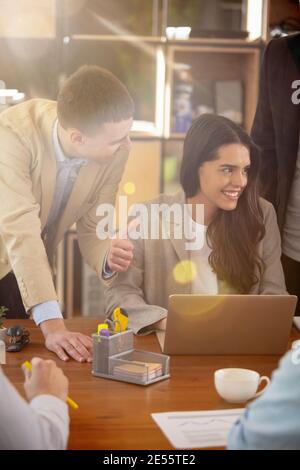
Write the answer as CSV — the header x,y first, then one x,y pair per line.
x,y
228,324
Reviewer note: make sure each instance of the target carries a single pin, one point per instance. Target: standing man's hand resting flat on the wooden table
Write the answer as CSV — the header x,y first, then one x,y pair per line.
x,y
66,343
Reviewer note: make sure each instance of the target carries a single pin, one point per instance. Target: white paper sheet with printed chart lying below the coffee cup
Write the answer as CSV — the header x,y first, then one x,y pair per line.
x,y
197,429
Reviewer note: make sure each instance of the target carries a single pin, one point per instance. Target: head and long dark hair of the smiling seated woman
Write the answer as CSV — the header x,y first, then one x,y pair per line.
x,y
220,170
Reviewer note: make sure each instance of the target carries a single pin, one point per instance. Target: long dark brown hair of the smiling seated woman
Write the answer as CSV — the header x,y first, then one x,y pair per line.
x,y
232,235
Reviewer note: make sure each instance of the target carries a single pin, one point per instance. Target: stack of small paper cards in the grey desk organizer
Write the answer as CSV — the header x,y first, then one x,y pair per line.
x,y
140,371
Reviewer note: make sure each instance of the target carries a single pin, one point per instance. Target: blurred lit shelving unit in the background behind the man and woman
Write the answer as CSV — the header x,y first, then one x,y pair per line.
x,y
144,42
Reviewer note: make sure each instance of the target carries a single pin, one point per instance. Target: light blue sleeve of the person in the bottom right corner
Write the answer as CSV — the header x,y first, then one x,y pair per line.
x,y
273,420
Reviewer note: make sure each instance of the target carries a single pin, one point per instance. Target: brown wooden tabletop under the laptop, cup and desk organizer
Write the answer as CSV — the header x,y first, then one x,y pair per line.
x,y
116,415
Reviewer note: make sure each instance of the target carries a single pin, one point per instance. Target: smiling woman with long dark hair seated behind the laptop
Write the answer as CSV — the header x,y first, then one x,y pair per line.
x,y
240,253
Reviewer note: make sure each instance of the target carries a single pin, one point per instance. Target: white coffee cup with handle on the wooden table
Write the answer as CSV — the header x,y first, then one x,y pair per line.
x,y
239,385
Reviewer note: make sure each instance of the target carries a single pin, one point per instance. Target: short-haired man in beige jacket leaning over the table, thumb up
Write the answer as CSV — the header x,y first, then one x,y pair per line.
x,y
58,163
